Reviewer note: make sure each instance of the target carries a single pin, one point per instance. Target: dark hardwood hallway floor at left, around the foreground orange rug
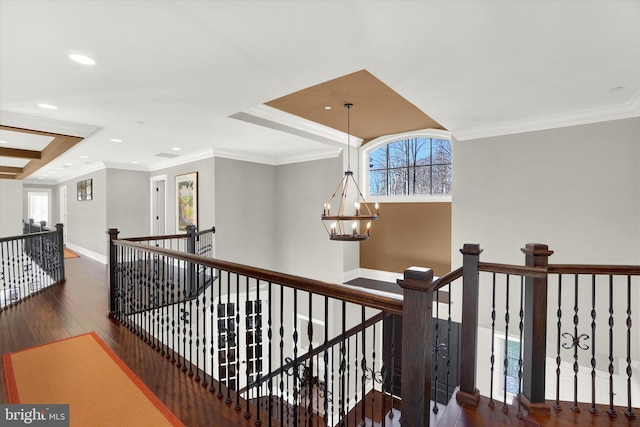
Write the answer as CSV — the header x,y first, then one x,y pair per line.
x,y
80,306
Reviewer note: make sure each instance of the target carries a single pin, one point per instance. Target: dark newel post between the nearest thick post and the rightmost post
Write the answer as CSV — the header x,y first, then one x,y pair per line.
x,y
468,392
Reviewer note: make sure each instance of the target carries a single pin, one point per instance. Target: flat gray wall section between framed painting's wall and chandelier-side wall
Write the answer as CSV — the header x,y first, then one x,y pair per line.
x,y
245,212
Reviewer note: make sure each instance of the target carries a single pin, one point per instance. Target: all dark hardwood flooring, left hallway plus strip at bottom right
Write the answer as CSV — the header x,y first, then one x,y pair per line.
x,y
80,306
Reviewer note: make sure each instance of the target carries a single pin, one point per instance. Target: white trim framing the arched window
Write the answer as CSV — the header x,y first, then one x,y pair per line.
x,y
376,143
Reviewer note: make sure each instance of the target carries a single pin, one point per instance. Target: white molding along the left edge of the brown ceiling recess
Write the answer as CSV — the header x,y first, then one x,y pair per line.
x,y
273,118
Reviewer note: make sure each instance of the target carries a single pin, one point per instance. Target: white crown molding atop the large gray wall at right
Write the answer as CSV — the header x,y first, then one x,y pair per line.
x,y
616,112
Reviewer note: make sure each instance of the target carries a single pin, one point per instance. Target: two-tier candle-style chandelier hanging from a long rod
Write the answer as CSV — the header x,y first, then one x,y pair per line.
x,y
344,223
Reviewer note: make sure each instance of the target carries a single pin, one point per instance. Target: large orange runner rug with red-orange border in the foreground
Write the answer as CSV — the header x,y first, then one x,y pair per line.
x,y
85,373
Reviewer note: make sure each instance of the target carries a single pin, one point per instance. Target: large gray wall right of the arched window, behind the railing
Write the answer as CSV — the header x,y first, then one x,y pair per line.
x,y
576,189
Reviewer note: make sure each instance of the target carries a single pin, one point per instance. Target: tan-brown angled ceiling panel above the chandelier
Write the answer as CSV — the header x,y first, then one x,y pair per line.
x,y
377,109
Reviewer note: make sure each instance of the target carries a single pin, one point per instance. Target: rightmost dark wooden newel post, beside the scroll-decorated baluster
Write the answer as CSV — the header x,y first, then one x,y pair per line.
x,y
535,330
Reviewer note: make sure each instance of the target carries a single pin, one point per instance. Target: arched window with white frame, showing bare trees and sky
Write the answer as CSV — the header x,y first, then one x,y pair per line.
x,y
408,166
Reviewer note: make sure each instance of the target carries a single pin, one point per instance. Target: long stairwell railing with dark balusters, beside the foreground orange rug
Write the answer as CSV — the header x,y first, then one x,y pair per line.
x,y
263,341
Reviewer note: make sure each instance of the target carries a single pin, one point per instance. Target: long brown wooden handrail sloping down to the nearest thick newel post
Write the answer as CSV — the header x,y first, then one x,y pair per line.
x,y
361,297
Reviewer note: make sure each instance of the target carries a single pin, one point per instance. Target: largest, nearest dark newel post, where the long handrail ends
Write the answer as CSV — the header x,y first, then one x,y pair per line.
x,y
416,345
